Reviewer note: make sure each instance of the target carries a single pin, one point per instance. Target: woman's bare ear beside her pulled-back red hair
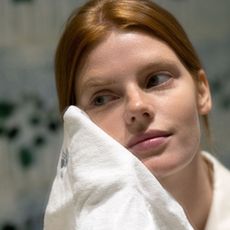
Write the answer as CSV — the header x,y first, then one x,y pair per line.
x,y
204,100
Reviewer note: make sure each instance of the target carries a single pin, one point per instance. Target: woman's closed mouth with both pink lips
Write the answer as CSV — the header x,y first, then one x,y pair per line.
x,y
152,141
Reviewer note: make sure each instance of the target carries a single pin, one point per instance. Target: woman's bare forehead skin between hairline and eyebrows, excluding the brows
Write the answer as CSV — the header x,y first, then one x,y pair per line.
x,y
134,46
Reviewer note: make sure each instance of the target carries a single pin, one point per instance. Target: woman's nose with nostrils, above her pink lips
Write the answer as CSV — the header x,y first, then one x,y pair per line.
x,y
138,110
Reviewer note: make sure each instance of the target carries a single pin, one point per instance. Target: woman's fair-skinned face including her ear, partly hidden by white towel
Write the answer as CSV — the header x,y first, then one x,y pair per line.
x,y
136,89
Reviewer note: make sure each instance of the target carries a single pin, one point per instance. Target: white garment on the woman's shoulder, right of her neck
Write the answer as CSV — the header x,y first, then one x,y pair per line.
x,y
219,217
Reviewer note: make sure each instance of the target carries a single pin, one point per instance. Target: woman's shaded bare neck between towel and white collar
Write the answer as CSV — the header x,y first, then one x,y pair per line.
x,y
192,188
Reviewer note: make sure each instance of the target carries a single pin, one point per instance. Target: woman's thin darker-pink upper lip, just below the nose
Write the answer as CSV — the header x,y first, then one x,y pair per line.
x,y
146,136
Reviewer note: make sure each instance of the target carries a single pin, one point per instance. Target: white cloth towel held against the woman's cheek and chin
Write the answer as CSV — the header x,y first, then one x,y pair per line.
x,y
100,185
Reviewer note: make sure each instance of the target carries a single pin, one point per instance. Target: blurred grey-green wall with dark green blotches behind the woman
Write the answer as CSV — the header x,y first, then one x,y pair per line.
x,y
30,129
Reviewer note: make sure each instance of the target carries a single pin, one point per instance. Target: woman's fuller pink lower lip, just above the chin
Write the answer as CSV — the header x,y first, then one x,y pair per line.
x,y
154,145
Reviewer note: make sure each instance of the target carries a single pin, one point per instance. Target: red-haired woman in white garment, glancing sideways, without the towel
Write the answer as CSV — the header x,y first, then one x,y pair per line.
x,y
130,66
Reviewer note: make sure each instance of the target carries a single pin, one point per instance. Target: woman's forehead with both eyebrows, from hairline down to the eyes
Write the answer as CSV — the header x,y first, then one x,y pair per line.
x,y
122,55
